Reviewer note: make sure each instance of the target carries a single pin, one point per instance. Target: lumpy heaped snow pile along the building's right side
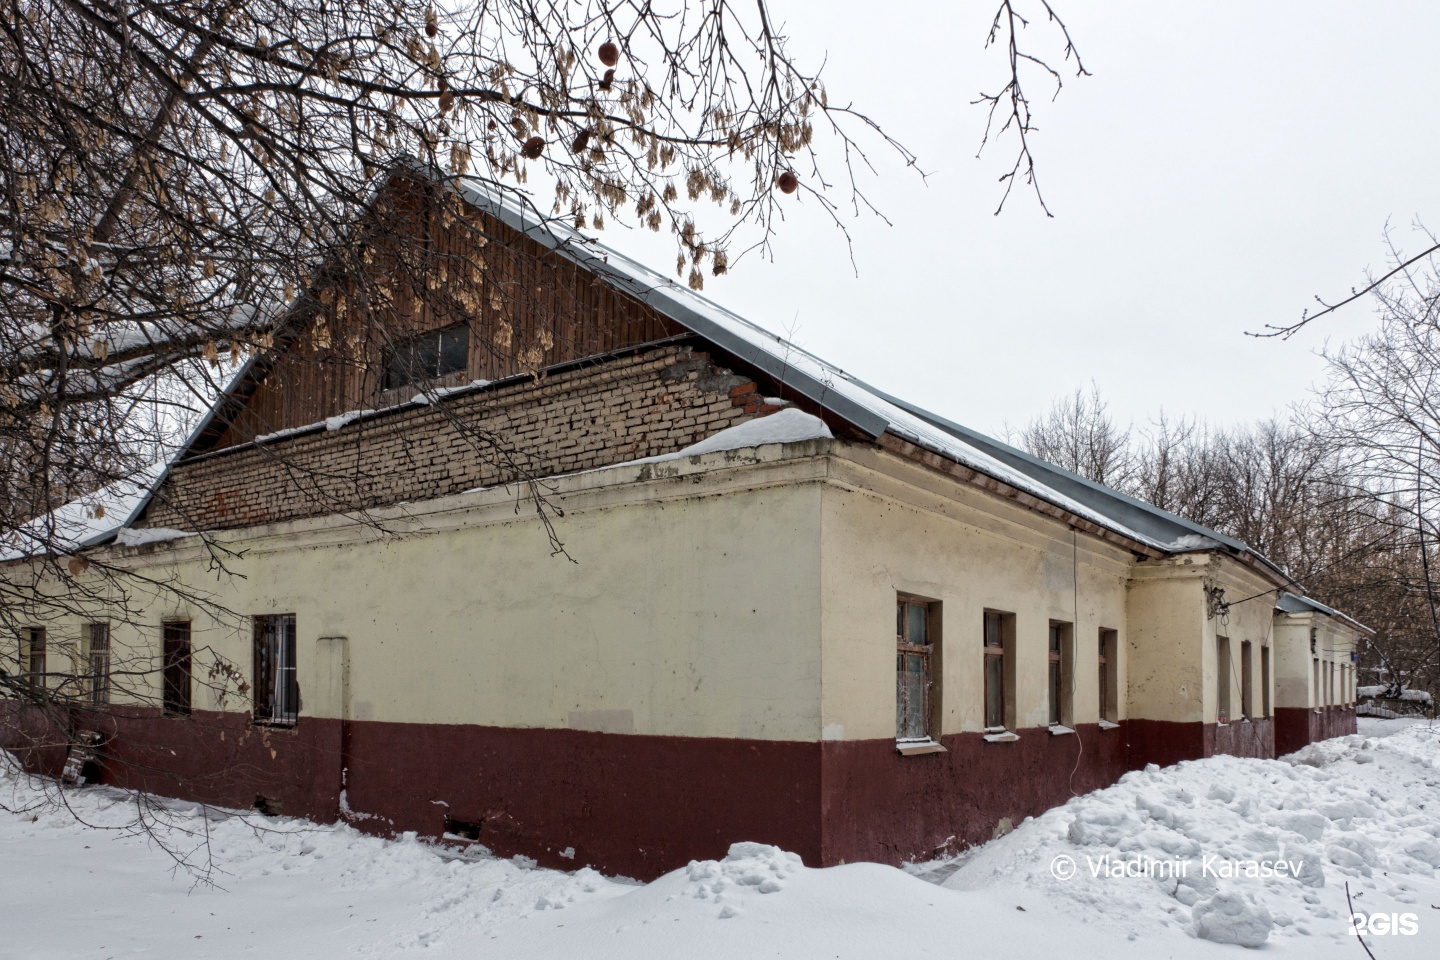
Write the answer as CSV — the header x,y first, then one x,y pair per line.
x,y
1241,851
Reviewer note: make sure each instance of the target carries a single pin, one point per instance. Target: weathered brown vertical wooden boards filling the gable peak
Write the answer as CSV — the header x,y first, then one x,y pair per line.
x,y
526,309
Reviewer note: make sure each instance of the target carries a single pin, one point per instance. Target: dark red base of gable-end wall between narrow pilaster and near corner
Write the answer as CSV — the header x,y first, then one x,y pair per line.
x,y
627,805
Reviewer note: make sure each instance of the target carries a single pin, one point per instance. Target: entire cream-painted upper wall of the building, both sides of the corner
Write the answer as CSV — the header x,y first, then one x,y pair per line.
x,y
737,595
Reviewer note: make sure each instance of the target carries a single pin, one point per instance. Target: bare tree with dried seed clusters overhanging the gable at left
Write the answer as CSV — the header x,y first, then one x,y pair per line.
x,y
192,185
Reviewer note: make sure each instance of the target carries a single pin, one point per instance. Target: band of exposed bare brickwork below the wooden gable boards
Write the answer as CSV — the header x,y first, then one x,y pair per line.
x,y
642,405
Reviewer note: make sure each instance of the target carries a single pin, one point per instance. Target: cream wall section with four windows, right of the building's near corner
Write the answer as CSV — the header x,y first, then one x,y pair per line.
x,y
888,529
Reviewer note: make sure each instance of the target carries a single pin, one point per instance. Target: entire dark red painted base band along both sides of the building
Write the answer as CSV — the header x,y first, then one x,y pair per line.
x,y
634,805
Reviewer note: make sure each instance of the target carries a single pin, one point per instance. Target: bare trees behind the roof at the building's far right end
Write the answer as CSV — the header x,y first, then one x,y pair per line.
x,y
1340,497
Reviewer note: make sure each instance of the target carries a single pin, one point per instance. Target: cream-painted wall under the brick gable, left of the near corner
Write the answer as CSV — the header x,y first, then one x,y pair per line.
x,y
692,608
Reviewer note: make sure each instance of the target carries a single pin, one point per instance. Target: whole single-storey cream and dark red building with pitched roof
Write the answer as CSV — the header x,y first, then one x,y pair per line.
x,y
711,658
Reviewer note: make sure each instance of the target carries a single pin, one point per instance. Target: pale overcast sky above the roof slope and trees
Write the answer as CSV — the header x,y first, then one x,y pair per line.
x,y
1225,163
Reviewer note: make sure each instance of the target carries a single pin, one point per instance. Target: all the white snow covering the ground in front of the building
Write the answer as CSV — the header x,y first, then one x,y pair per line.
x,y
1363,810
